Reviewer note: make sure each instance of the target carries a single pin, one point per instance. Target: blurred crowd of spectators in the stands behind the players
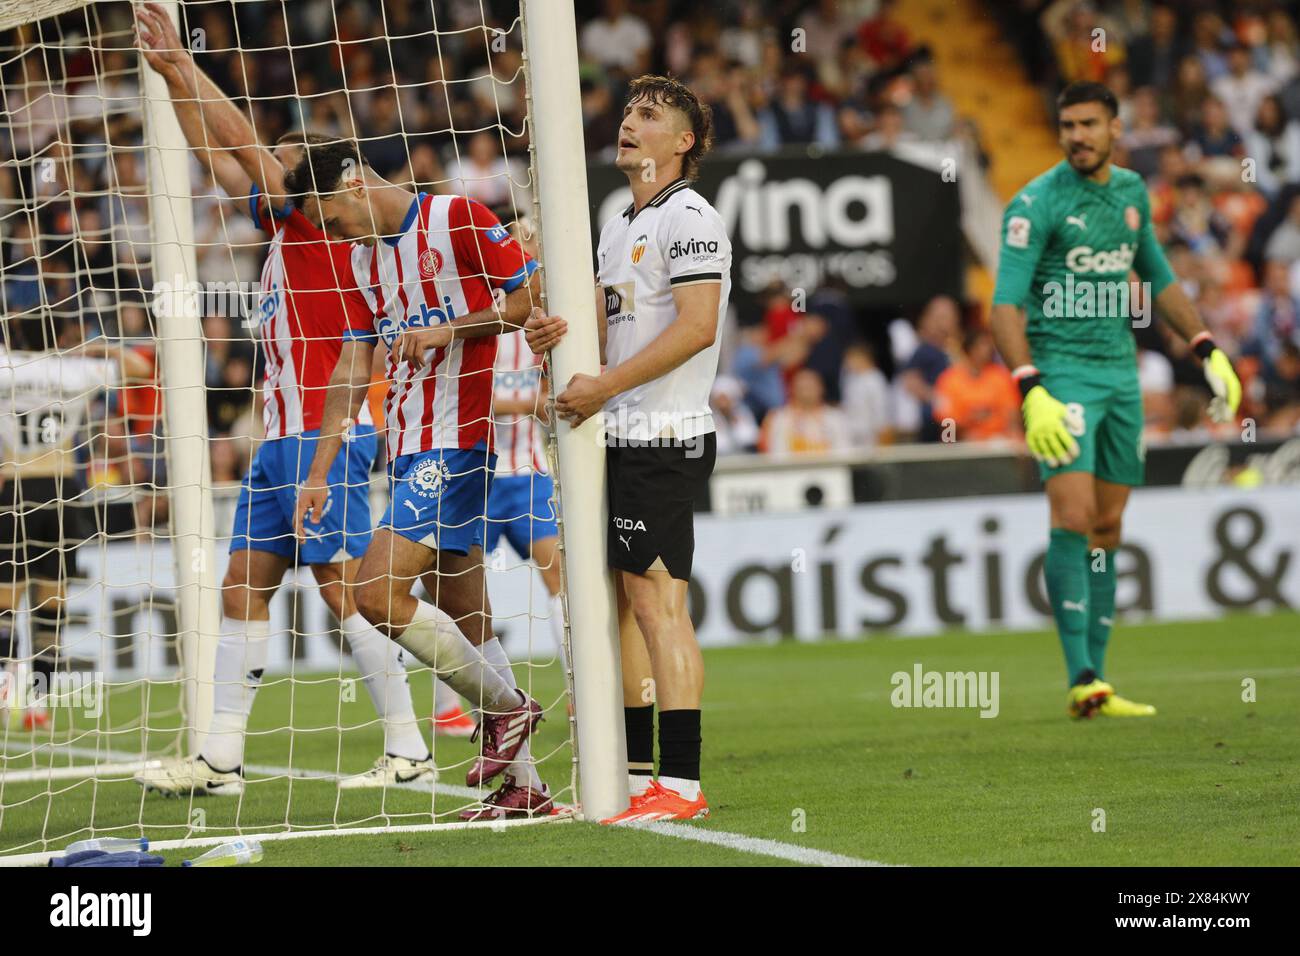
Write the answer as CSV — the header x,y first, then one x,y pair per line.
x,y
1210,97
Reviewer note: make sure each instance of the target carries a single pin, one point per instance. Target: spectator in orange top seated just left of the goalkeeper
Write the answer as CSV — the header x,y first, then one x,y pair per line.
x,y
977,393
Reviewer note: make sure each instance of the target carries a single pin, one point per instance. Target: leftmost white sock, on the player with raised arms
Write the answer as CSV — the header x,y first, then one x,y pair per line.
x,y
241,659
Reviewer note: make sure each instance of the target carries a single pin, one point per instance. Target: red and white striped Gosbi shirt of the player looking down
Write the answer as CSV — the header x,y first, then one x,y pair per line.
x,y
445,263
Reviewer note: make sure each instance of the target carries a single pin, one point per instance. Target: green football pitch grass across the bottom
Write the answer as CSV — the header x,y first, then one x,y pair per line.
x,y
807,756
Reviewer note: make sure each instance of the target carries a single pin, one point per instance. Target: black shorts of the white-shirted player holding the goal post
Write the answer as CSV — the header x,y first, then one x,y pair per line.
x,y
653,490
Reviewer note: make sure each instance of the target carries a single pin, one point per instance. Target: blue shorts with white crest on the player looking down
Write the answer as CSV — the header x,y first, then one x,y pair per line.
x,y
439,499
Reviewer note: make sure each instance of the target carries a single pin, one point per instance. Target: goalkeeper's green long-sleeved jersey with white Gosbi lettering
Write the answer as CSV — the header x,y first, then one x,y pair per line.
x,y
1068,248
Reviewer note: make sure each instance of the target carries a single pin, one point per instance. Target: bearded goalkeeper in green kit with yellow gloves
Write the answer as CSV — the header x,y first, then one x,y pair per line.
x,y
1063,315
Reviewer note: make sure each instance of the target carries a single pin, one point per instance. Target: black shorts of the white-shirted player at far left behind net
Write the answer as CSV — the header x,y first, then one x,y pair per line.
x,y
42,522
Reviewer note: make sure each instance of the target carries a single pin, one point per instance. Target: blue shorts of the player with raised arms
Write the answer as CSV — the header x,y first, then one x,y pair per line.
x,y
265,517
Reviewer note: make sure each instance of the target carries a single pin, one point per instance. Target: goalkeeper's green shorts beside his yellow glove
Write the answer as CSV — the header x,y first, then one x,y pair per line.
x,y
1110,401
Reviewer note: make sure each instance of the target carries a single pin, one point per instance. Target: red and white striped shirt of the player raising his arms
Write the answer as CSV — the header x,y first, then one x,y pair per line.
x,y
302,315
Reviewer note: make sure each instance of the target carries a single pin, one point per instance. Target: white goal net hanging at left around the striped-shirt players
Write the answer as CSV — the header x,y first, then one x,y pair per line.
x,y
132,390
